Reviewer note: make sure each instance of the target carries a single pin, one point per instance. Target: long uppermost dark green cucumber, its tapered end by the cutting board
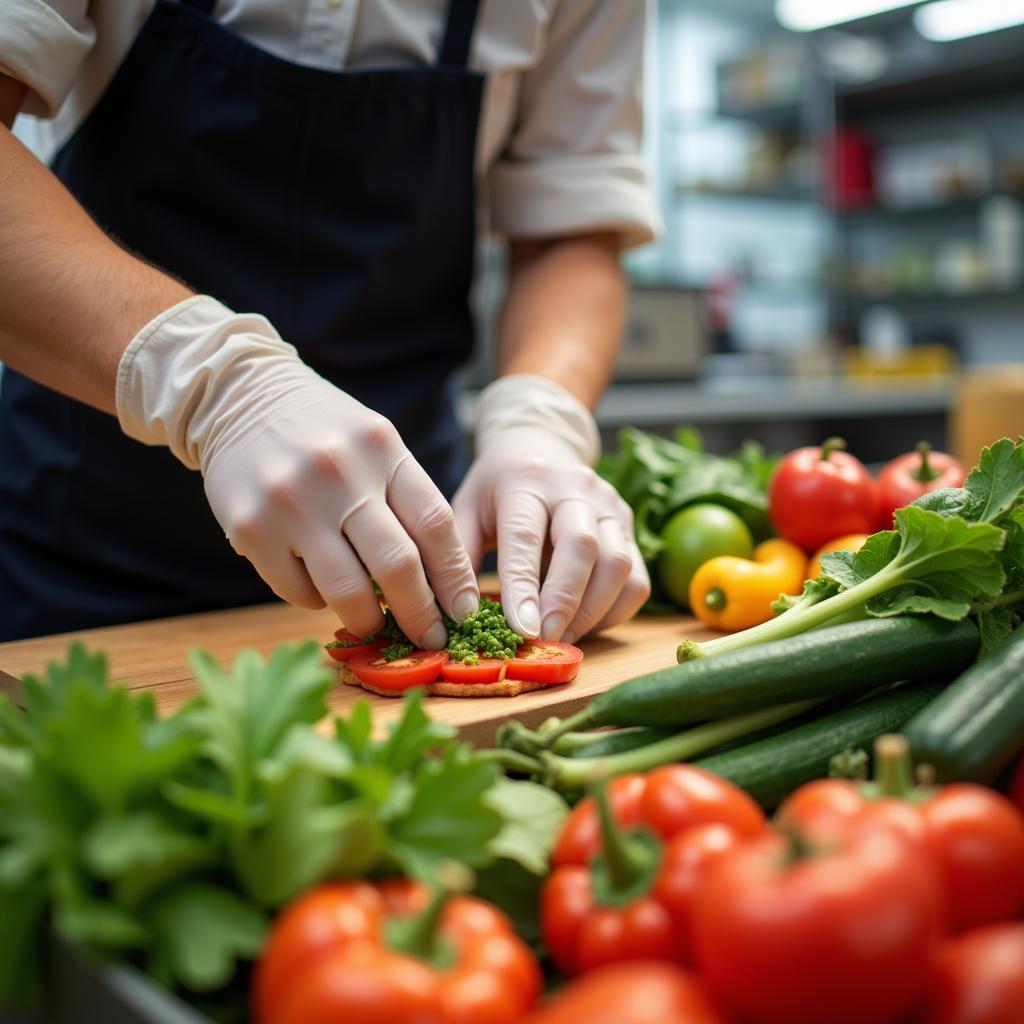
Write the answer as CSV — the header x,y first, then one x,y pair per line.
x,y
850,659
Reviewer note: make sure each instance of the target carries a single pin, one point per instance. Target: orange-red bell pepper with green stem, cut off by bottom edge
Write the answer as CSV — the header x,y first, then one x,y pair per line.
x,y
361,954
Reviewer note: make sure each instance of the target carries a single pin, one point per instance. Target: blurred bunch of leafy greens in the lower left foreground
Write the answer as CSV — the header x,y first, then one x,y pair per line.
x,y
170,842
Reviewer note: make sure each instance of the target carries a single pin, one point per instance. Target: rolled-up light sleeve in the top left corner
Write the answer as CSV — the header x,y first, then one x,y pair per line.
x,y
44,45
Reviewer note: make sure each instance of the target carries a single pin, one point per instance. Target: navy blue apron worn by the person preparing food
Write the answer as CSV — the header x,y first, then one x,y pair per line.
x,y
338,204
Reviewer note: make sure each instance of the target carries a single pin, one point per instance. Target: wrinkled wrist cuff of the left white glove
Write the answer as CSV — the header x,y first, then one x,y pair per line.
x,y
175,369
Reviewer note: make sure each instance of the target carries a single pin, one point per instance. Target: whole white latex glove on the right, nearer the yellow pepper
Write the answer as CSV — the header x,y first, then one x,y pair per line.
x,y
532,482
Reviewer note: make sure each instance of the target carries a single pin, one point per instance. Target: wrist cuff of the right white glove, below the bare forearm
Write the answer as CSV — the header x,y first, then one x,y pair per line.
x,y
528,402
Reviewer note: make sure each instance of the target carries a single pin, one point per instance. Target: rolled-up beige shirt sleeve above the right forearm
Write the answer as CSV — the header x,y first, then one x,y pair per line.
x,y
574,161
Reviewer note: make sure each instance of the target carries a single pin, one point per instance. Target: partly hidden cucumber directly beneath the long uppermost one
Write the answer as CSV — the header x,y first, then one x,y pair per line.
x,y
771,770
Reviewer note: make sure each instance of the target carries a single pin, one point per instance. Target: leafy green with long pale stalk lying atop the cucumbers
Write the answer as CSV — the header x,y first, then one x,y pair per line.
x,y
955,552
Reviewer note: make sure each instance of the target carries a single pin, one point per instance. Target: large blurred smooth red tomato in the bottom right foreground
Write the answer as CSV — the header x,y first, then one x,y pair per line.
x,y
846,934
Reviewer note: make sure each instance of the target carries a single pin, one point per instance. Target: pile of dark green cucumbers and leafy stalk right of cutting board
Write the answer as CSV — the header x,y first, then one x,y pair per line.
x,y
916,606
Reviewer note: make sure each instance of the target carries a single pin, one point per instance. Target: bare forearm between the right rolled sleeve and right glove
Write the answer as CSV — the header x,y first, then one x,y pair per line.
x,y
565,313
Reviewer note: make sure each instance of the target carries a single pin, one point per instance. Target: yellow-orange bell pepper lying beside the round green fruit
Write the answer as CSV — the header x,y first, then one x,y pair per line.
x,y
734,594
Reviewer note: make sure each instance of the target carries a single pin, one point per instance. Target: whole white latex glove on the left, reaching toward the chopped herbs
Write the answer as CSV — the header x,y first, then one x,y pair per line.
x,y
316,490
